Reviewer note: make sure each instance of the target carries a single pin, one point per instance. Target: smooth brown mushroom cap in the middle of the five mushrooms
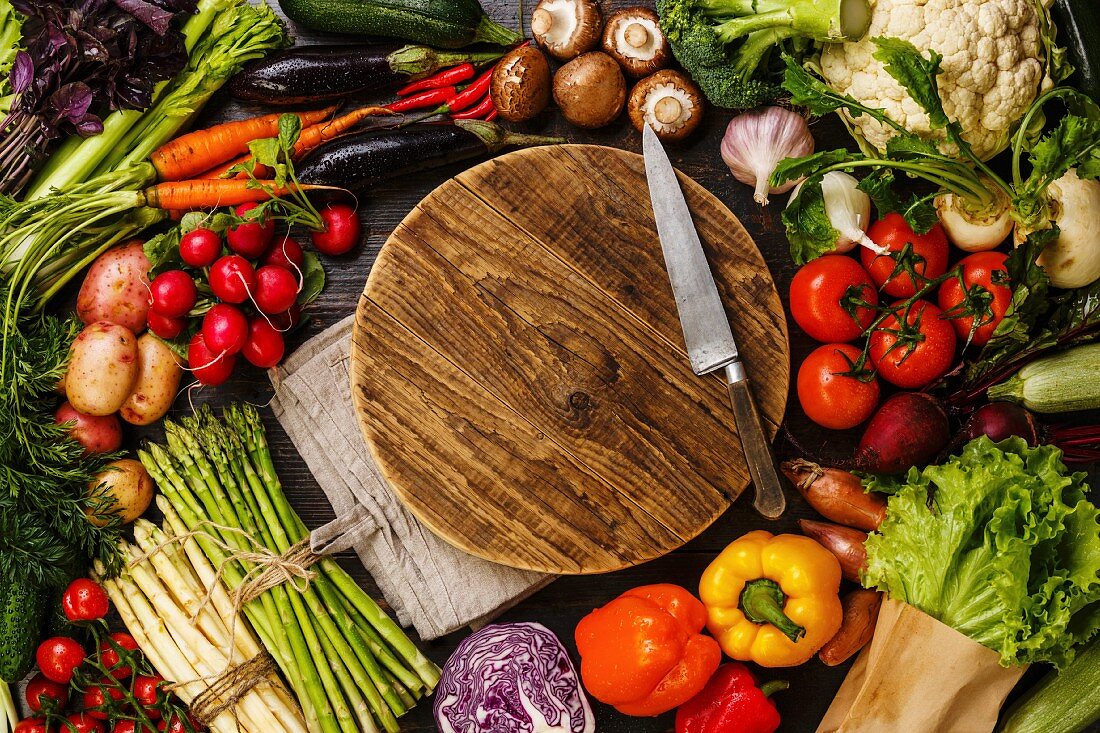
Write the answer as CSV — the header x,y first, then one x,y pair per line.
x,y
590,91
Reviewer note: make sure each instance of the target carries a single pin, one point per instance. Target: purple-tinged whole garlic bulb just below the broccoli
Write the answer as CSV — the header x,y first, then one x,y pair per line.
x,y
756,141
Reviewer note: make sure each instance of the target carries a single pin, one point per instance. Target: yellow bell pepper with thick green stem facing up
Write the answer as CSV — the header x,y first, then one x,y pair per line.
x,y
773,600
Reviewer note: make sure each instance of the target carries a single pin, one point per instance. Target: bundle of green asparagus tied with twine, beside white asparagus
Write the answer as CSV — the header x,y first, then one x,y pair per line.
x,y
350,665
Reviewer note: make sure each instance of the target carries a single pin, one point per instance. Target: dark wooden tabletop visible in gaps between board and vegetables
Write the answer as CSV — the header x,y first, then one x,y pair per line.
x,y
566,601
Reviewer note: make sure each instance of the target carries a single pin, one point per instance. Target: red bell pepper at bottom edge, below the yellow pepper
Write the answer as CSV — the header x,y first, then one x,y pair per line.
x,y
731,704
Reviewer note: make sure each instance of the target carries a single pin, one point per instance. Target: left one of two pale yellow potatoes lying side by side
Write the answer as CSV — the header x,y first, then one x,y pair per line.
x,y
103,369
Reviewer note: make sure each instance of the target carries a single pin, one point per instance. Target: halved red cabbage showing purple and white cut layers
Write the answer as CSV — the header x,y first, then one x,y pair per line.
x,y
512,679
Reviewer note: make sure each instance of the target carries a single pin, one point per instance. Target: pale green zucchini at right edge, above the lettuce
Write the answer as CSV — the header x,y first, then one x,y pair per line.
x,y
1062,384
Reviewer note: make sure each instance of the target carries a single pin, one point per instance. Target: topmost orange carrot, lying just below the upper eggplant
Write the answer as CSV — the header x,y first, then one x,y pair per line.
x,y
201,150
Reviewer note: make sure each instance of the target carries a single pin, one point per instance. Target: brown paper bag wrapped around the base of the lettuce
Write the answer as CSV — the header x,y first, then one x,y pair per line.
x,y
920,676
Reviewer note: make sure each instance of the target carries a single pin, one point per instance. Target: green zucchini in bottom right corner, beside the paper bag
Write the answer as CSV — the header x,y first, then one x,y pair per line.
x,y
1061,703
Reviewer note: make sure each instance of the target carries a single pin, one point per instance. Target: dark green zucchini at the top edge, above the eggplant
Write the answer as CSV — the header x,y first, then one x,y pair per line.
x,y
442,24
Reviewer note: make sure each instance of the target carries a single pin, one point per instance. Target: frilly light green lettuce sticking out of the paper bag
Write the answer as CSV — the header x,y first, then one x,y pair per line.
x,y
1002,544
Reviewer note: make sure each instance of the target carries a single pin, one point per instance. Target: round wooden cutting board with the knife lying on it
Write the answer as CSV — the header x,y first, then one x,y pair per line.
x,y
520,373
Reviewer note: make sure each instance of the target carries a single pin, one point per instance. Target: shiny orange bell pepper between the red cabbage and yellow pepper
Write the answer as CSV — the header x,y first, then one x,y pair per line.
x,y
644,652
